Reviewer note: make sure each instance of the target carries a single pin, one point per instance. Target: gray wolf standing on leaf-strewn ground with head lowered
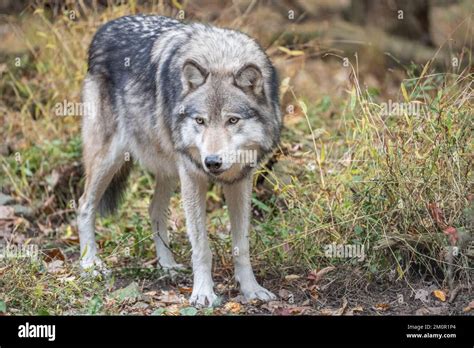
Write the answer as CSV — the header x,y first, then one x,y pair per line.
x,y
180,99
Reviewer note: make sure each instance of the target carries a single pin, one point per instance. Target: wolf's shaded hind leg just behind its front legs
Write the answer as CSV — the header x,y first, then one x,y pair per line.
x,y
158,215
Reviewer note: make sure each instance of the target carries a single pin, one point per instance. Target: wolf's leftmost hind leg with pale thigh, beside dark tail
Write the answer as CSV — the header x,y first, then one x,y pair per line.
x,y
103,157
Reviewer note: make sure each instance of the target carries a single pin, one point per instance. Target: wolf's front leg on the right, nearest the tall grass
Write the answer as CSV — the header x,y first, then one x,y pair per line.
x,y
238,200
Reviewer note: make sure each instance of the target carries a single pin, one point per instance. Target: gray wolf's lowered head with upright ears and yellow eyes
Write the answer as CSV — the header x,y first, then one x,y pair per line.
x,y
227,120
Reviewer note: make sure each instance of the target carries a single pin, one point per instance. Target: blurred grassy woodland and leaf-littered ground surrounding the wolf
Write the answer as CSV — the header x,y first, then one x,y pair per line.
x,y
347,172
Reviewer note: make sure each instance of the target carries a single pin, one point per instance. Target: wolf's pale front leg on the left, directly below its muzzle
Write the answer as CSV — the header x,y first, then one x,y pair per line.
x,y
193,192
